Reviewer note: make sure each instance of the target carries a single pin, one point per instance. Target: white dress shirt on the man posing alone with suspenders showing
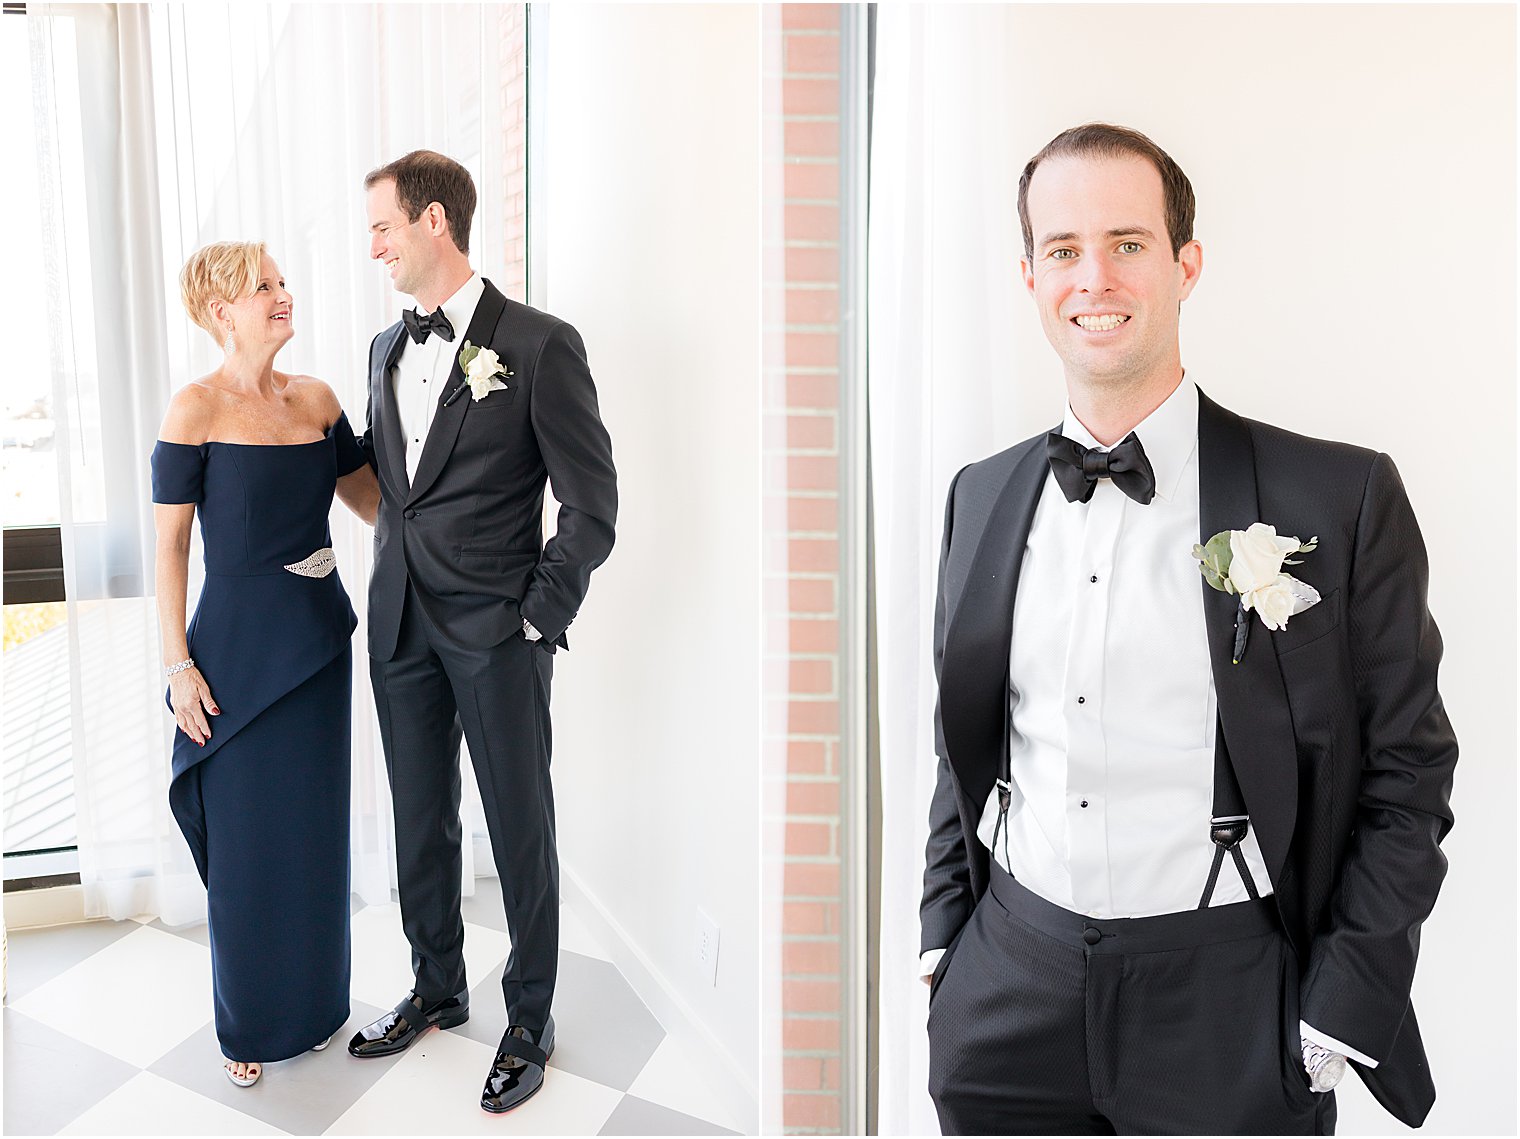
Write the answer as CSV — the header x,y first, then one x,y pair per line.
x,y
1112,699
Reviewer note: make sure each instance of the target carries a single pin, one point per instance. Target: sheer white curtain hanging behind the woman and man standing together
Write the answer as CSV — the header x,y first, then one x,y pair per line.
x,y
166,127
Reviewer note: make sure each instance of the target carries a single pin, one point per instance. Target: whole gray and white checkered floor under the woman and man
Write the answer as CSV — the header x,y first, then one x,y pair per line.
x,y
109,1032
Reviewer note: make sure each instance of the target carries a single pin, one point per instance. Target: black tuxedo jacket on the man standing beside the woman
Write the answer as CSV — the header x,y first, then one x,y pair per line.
x,y
469,530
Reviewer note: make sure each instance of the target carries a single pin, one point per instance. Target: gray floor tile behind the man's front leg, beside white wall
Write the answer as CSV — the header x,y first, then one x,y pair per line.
x,y
603,1030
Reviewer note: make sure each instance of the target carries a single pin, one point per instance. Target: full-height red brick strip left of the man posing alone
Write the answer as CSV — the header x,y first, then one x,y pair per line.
x,y
811,918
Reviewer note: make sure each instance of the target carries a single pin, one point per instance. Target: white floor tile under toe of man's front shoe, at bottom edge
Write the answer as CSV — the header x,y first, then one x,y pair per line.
x,y
435,1090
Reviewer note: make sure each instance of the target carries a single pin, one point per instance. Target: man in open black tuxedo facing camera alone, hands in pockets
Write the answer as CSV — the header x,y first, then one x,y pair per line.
x,y
1183,839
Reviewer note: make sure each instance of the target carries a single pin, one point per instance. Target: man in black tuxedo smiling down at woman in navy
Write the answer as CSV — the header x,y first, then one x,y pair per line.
x,y
475,401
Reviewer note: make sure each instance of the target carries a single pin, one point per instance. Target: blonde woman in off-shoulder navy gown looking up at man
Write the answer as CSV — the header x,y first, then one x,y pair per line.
x,y
261,769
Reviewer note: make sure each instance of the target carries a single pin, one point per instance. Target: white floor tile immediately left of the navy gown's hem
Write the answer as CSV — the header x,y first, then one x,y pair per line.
x,y
135,1000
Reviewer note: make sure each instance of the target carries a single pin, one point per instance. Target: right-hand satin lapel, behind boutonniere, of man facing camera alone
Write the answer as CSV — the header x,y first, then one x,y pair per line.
x,y
1253,702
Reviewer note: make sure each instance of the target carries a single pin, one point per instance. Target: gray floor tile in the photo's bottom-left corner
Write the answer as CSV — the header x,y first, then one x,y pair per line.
x,y
52,1079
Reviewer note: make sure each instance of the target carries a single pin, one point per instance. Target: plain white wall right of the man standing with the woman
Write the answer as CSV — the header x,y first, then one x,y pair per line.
x,y
650,154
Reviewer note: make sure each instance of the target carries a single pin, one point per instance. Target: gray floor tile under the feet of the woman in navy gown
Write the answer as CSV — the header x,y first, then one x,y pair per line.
x,y
303,1096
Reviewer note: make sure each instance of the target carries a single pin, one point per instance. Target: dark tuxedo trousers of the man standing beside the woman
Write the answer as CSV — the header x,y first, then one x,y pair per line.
x,y
428,696
